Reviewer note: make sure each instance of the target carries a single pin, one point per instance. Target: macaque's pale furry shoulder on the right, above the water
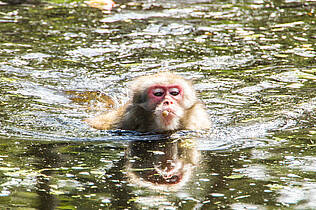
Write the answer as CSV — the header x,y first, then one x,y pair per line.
x,y
196,118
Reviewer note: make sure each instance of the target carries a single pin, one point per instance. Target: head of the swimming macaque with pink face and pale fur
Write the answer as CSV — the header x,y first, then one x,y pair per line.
x,y
166,96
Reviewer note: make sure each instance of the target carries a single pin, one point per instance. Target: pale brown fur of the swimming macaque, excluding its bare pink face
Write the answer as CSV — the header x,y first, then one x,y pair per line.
x,y
139,116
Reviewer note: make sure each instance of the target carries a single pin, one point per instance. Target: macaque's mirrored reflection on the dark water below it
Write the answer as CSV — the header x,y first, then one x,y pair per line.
x,y
161,164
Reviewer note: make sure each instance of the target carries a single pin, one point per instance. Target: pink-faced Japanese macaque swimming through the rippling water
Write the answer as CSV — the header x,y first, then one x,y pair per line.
x,y
159,103
